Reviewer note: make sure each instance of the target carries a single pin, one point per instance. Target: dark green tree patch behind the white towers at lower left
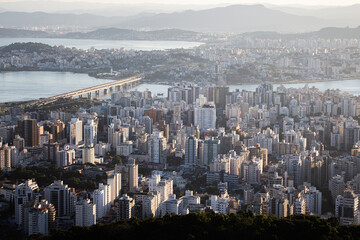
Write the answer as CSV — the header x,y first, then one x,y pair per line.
x,y
45,176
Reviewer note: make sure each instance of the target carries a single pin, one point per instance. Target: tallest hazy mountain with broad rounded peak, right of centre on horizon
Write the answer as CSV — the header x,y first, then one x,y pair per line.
x,y
235,18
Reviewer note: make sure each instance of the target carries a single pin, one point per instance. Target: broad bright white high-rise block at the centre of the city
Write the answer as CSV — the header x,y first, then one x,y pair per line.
x,y
205,116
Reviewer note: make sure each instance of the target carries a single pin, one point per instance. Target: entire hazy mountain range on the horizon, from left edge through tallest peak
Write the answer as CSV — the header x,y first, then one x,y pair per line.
x,y
235,19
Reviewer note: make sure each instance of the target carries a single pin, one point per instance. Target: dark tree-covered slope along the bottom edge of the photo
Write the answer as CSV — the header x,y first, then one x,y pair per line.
x,y
215,226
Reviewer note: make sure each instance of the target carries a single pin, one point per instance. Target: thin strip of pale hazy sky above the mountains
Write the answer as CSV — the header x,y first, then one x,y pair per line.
x,y
287,2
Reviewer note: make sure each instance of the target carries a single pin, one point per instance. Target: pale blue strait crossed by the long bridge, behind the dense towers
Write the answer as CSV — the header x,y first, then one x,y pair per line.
x,y
21,86
